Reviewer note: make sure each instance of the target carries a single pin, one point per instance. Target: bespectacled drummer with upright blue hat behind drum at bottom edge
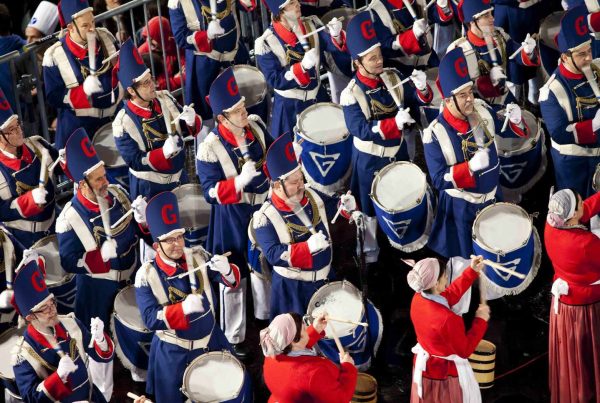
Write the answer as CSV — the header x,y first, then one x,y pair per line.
x,y
183,319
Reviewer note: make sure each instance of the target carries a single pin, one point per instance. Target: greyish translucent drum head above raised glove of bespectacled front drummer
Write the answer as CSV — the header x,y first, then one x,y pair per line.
x,y
194,210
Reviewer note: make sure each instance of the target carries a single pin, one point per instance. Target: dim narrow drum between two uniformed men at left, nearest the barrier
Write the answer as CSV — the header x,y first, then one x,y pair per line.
x,y
117,170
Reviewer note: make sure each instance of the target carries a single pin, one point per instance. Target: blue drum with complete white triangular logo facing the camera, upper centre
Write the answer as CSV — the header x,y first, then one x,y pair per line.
x,y
326,146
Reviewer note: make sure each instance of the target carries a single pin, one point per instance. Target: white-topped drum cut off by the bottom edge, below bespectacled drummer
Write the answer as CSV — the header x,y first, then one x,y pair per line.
x,y
216,377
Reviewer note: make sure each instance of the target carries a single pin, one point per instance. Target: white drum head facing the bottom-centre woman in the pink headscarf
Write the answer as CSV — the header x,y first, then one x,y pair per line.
x,y
339,299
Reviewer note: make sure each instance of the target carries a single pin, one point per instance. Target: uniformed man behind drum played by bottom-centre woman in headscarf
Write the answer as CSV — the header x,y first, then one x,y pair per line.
x,y
292,231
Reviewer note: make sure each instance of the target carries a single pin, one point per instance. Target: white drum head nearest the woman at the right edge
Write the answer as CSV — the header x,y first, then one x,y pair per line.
x,y
502,227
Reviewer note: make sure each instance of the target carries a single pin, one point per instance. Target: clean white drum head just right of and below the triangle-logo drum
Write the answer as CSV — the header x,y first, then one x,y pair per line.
x,y
399,186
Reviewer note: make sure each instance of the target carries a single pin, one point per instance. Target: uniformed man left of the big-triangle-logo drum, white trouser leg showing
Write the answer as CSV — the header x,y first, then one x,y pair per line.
x,y
229,166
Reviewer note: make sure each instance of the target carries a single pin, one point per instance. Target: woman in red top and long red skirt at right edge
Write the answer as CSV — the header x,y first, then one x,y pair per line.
x,y
575,311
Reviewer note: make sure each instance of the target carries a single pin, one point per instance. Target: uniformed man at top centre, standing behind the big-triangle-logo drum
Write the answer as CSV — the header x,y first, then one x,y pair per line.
x,y
290,61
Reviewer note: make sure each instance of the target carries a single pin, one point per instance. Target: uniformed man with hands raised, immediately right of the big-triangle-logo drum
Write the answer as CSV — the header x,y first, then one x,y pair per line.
x,y
376,123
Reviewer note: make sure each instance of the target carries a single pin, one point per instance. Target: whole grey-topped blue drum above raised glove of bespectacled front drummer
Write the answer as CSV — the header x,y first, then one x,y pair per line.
x,y
194,213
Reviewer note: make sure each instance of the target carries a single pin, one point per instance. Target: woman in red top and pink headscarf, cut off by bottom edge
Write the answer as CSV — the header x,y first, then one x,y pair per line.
x,y
295,372
